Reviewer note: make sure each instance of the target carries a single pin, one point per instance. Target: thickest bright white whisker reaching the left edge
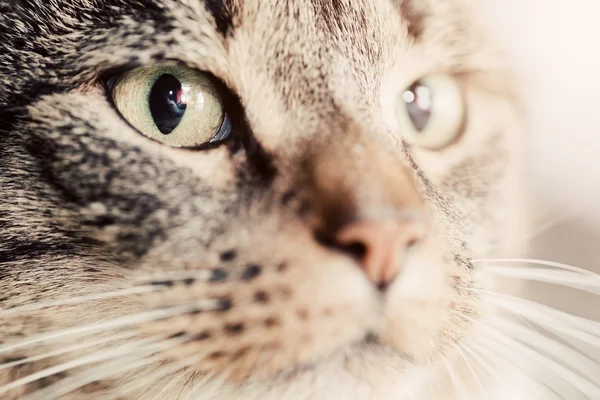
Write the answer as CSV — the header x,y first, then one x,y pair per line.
x,y
126,320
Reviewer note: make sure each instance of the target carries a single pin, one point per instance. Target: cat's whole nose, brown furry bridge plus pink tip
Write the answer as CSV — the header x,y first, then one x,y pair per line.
x,y
364,203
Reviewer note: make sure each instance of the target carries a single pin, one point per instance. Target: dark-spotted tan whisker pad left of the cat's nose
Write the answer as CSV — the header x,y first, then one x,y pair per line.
x,y
304,303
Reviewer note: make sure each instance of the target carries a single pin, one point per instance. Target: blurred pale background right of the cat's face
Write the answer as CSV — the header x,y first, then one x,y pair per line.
x,y
554,46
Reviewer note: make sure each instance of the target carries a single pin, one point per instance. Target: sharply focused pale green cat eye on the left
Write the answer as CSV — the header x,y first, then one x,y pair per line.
x,y
177,106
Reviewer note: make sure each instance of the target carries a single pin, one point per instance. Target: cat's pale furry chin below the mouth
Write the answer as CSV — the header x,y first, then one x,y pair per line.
x,y
366,370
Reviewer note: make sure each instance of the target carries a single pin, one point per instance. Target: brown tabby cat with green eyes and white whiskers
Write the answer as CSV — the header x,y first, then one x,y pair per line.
x,y
266,199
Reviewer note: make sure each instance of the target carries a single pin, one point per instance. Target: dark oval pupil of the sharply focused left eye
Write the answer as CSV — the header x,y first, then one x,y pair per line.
x,y
167,104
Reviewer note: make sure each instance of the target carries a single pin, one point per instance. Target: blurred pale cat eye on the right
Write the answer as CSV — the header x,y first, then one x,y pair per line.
x,y
431,112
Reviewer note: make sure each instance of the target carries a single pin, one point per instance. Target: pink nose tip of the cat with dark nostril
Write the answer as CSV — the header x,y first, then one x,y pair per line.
x,y
380,246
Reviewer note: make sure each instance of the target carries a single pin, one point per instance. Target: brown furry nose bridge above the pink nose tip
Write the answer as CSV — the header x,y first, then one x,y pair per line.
x,y
360,179
